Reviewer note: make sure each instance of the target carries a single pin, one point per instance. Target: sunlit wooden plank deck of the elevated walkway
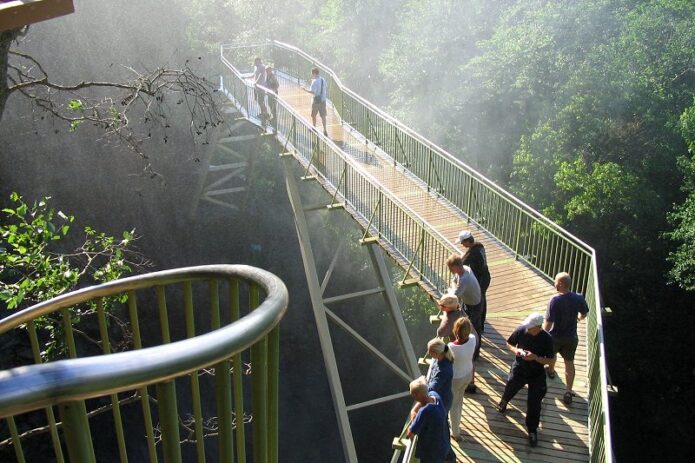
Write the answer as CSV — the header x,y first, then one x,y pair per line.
x,y
515,291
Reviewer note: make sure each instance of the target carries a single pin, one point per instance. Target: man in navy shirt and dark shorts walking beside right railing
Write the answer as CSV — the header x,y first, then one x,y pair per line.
x,y
564,311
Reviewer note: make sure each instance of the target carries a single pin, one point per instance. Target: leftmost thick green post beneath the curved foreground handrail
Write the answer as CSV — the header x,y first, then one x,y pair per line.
x,y
78,437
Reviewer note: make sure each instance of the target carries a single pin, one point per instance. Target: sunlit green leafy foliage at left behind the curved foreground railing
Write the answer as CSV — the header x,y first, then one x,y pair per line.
x,y
34,267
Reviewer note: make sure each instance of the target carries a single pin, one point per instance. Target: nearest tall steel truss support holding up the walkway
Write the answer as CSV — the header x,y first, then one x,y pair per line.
x,y
322,314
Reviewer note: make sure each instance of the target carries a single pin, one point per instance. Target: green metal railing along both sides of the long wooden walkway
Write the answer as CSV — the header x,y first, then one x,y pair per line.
x,y
419,248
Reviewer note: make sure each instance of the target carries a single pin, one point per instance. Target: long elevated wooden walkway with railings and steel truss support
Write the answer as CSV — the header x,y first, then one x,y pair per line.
x,y
411,199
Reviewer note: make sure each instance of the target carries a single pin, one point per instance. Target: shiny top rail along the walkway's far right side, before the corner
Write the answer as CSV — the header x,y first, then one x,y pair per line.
x,y
441,151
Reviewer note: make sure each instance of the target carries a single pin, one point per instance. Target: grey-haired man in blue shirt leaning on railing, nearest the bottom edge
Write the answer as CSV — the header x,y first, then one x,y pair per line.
x,y
430,425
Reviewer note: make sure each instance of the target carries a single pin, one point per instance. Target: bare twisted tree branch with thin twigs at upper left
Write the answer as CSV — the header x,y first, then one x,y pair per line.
x,y
127,111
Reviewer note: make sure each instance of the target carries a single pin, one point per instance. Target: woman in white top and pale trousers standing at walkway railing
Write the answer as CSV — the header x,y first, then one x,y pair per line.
x,y
463,348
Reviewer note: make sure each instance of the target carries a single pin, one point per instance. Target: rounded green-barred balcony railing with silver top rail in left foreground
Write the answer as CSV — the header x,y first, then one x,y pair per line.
x,y
200,350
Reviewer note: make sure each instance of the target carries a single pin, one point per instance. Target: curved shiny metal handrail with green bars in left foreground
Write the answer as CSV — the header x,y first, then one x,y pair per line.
x,y
68,382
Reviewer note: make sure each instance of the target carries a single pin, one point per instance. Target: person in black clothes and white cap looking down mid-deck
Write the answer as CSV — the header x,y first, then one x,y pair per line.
x,y
533,349
